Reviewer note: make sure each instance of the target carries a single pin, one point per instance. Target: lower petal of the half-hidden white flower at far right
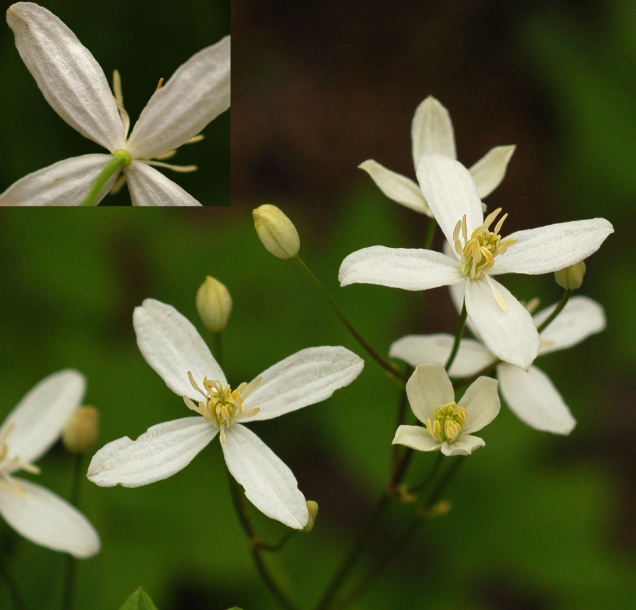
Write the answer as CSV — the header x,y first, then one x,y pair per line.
x,y
534,400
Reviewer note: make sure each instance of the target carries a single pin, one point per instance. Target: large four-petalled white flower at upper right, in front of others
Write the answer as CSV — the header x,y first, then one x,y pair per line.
x,y
476,254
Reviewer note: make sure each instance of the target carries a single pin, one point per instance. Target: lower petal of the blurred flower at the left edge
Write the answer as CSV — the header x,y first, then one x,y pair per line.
x,y
48,520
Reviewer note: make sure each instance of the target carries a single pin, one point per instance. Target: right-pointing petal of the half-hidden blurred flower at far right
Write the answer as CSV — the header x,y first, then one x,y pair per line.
x,y
580,318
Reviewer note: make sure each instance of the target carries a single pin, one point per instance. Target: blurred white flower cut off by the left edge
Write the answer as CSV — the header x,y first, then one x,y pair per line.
x,y
27,433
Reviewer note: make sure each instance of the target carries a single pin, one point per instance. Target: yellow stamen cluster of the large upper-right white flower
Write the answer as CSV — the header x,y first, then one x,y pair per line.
x,y
478,253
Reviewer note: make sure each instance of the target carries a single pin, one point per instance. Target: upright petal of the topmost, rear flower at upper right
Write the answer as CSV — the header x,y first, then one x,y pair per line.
x,y
432,130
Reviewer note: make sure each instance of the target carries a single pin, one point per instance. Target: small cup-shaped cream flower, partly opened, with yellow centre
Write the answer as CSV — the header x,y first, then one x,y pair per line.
x,y
448,424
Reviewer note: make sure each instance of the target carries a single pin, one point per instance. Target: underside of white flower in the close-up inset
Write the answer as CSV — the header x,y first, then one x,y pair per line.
x,y
75,86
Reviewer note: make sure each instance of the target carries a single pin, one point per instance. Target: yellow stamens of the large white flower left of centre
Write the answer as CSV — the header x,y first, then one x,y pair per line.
x,y
221,404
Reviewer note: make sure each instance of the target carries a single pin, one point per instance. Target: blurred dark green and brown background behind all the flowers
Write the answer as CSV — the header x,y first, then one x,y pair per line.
x,y
538,521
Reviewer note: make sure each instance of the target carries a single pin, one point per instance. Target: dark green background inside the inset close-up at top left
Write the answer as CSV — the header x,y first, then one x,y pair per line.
x,y
145,40
